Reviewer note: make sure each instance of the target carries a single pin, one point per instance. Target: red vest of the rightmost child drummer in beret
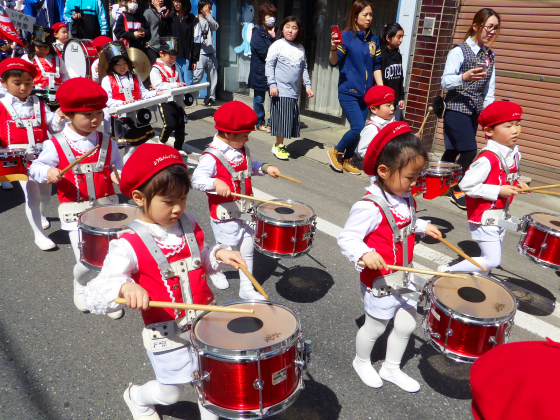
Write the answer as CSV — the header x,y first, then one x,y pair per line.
x,y
497,176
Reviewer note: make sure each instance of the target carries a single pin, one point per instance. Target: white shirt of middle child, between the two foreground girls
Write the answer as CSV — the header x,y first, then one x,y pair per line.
x,y
204,175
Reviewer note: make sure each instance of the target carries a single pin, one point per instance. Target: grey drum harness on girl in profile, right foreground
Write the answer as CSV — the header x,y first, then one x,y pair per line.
x,y
396,283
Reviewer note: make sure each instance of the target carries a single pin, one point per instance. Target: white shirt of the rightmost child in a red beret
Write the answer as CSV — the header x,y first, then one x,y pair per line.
x,y
472,183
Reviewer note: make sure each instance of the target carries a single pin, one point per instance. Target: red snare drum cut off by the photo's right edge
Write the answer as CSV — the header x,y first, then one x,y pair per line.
x,y
540,239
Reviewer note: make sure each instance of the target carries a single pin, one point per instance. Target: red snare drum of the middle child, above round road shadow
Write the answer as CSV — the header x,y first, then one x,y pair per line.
x,y
284,232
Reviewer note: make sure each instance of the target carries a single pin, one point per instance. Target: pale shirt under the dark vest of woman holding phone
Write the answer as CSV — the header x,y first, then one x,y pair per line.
x,y
452,77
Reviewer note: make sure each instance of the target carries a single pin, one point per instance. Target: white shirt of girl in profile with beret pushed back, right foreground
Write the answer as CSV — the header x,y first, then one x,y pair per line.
x,y
365,217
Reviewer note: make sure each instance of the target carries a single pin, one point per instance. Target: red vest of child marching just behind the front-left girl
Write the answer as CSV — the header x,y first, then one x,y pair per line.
x,y
73,187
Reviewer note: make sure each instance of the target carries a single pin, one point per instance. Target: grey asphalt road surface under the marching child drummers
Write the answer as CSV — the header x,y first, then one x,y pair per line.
x,y
58,363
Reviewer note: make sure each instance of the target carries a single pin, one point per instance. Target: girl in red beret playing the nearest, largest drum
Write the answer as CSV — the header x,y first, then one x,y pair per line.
x,y
159,242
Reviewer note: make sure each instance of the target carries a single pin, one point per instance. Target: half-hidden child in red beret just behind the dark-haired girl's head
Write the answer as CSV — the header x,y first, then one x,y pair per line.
x,y
381,102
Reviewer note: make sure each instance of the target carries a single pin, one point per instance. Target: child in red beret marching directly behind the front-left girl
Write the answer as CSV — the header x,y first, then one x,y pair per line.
x,y
82,102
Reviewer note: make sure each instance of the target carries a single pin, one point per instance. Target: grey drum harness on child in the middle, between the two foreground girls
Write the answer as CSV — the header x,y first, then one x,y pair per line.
x,y
237,209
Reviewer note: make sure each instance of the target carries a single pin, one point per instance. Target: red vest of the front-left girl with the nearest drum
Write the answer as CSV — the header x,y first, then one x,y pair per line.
x,y
150,278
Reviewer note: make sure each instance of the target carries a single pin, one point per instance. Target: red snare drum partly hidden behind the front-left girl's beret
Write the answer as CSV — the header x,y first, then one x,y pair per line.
x,y
97,226
